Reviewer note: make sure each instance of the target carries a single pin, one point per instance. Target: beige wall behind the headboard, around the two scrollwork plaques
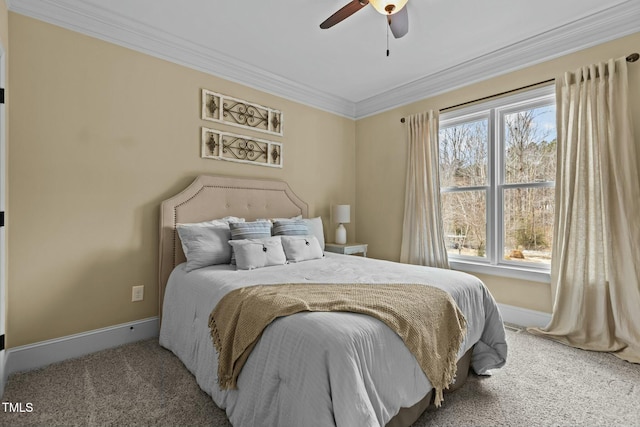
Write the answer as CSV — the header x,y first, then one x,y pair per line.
x,y
100,135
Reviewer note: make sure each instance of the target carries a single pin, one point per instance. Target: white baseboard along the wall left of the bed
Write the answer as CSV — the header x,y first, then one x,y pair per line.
x,y
33,356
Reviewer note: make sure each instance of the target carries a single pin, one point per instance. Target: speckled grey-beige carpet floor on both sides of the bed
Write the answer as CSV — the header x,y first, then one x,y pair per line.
x,y
543,384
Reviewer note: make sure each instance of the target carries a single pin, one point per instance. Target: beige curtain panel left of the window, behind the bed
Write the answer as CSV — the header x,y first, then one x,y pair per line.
x,y
423,240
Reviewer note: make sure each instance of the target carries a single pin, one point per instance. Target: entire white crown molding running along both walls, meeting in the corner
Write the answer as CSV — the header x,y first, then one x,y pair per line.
x,y
94,21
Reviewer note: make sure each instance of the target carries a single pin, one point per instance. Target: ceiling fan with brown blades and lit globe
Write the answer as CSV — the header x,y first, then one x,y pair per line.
x,y
395,11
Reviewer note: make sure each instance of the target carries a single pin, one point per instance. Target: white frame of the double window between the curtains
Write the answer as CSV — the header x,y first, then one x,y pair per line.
x,y
494,111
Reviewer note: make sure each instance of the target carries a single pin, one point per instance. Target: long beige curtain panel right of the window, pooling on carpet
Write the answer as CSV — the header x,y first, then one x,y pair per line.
x,y
595,270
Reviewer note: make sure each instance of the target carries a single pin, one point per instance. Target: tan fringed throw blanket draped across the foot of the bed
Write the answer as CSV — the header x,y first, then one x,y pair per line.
x,y
426,318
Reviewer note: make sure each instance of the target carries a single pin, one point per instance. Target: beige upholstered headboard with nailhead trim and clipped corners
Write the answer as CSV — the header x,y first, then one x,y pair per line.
x,y
210,197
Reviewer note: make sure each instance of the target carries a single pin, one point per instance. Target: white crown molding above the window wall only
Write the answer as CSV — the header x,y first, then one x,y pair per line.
x,y
610,24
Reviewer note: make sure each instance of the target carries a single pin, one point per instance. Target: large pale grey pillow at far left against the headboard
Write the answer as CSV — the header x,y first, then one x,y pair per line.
x,y
205,244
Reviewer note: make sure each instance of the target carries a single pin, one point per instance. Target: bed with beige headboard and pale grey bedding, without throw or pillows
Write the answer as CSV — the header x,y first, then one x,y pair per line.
x,y
310,368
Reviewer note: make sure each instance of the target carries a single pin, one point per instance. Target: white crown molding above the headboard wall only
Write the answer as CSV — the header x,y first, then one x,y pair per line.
x,y
94,21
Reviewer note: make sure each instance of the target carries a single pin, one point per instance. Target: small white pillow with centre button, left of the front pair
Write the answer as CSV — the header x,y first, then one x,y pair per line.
x,y
258,253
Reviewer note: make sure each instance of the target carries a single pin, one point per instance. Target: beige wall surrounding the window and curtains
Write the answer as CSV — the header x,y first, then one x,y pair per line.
x,y
381,159
